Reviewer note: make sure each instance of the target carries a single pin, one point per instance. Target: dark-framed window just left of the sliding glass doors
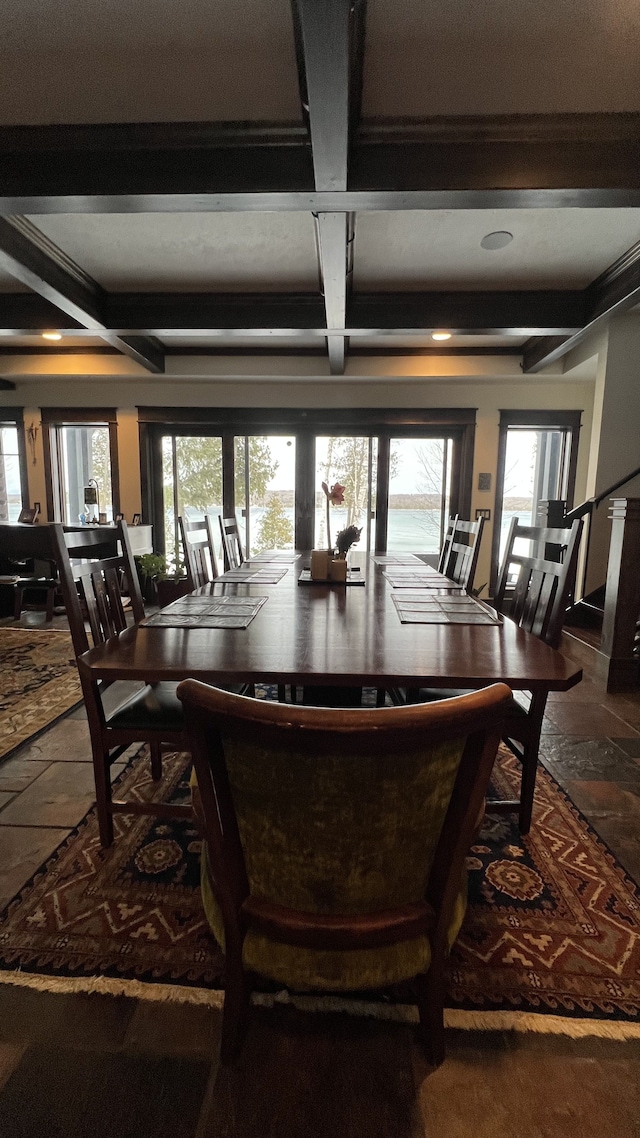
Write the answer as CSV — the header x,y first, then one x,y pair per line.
x,y
81,452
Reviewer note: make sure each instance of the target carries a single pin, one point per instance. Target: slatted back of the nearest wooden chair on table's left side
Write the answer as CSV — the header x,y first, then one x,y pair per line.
x,y
100,583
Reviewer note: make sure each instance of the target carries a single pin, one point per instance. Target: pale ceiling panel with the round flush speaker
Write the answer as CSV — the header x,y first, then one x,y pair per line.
x,y
552,249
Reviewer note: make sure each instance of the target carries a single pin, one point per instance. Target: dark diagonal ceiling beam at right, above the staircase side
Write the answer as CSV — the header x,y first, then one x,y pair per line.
x,y
614,292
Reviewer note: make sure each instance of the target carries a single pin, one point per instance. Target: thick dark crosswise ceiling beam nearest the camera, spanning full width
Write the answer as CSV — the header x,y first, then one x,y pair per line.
x,y
467,162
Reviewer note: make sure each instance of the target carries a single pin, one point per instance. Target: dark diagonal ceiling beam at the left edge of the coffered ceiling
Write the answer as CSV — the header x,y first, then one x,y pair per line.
x,y
28,257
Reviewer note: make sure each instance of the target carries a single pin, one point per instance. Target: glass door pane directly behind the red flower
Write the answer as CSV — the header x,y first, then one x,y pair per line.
x,y
352,463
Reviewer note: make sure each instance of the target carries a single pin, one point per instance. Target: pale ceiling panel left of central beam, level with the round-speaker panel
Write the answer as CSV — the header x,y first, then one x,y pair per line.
x,y
191,253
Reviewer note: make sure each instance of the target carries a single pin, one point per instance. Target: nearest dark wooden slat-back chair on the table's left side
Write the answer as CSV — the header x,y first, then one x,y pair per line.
x,y
102,590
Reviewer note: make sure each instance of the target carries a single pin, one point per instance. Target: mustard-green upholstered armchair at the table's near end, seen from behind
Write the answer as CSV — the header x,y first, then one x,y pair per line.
x,y
335,842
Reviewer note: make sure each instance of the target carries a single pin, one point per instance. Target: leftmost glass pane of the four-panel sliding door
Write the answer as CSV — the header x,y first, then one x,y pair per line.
x,y
192,484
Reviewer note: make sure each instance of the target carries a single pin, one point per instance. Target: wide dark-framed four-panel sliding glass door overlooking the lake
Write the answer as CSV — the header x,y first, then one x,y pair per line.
x,y
404,473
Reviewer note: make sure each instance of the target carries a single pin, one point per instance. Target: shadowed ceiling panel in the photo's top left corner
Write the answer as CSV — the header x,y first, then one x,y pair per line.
x,y
112,61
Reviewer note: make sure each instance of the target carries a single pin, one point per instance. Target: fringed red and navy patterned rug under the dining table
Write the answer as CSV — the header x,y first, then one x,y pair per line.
x,y
551,943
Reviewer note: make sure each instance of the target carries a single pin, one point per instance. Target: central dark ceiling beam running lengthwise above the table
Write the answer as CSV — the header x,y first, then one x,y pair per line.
x,y
323,42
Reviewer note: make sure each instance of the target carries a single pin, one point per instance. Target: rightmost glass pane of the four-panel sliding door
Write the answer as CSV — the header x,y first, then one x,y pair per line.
x,y
420,493
